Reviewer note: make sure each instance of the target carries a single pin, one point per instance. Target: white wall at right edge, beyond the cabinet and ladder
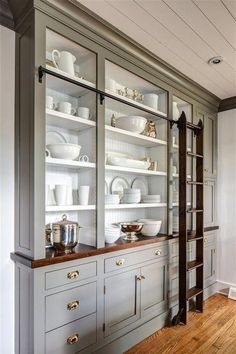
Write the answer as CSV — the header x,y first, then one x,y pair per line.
x,y
227,197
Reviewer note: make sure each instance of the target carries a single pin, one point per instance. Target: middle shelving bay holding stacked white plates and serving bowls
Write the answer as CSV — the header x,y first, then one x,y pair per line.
x,y
135,153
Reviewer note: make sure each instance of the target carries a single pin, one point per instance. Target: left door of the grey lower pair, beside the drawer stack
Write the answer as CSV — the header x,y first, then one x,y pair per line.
x,y
122,301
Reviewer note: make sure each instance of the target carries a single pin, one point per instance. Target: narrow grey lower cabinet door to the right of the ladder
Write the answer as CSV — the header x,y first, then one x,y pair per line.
x,y
209,265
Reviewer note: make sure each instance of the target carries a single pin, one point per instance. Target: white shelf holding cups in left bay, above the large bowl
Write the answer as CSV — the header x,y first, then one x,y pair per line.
x,y
67,121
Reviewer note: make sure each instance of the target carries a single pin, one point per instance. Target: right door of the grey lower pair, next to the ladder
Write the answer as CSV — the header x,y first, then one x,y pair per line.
x,y
154,288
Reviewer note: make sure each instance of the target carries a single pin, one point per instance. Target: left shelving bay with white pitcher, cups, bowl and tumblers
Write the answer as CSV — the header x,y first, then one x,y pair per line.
x,y
70,136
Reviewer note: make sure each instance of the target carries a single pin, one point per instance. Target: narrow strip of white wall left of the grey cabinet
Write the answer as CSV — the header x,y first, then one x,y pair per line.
x,y
7,74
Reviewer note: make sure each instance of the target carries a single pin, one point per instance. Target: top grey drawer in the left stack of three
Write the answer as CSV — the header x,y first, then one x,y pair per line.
x,y
70,275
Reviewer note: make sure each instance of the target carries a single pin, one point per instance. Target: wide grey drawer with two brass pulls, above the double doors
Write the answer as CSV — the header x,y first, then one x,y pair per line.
x,y
129,259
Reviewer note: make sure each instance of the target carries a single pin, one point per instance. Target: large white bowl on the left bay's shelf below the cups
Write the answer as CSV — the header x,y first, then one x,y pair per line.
x,y
64,151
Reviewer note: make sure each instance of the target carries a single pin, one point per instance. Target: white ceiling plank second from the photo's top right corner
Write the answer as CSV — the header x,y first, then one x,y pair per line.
x,y
220,18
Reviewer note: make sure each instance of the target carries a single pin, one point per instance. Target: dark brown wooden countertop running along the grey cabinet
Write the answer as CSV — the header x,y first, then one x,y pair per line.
x,y
83,251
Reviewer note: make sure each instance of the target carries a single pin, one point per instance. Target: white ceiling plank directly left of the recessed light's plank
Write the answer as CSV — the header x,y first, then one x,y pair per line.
x,y
155,29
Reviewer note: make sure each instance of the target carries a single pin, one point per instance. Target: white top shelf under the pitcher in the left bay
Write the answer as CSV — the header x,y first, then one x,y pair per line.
x,y
64,86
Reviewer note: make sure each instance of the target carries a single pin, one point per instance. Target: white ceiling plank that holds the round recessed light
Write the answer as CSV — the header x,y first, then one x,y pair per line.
x,y
169,19
